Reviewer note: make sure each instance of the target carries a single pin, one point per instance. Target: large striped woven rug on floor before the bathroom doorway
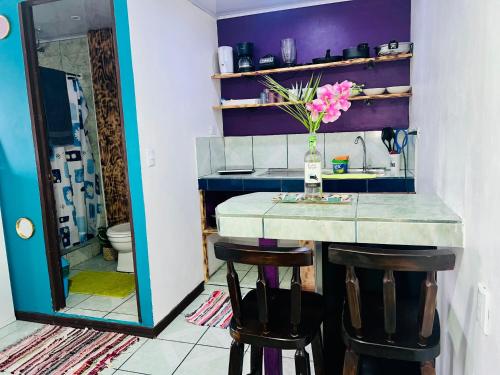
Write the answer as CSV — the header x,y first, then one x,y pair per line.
x,y
58,350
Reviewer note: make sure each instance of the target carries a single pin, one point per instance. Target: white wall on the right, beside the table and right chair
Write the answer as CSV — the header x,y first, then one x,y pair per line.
x,y
455,105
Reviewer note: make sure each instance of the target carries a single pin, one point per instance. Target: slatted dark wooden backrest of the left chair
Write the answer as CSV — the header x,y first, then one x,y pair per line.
x,y
260,257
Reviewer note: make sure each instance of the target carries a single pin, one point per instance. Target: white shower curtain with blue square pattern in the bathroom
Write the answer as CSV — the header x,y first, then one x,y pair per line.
x,y
76,182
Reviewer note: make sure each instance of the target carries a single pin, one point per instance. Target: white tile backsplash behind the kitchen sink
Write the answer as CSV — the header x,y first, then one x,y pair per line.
x,y
287,151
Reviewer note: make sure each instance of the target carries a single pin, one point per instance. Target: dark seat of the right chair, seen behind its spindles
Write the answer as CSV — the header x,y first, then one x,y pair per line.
x,y
405,342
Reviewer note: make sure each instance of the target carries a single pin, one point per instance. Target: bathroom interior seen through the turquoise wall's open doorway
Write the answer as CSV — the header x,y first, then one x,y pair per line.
x,y
84,136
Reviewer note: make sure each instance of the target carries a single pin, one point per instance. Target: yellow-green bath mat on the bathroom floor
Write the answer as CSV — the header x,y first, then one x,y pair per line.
x,y
109,284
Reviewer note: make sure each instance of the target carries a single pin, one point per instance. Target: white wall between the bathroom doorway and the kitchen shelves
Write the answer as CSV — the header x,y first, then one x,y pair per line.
x,y
174,45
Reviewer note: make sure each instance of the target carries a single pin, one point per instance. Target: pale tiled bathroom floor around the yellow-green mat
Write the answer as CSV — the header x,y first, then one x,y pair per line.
x,y
123,309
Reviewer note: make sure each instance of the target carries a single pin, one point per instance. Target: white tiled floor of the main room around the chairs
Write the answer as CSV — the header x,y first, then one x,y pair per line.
x,y
181,349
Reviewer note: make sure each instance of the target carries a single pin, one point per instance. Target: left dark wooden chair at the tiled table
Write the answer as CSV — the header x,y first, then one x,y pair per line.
x,y
272,317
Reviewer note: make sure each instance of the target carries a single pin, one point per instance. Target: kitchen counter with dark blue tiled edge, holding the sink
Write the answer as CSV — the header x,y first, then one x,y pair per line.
x,y
284,180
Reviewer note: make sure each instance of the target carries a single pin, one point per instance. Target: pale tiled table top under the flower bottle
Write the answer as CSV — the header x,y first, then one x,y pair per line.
x,y
404,219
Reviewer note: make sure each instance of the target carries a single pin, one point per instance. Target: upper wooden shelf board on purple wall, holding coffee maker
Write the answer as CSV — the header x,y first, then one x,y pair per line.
x,y
303,68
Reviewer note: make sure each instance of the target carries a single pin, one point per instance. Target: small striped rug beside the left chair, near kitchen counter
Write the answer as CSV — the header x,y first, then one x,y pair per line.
x,y
214,312
